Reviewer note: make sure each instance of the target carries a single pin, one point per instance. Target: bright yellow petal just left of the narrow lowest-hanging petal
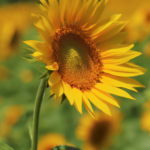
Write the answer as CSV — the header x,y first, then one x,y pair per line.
x,y
77,94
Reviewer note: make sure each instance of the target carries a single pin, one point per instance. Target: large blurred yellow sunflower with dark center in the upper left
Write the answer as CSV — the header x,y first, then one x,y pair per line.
x,y
14,20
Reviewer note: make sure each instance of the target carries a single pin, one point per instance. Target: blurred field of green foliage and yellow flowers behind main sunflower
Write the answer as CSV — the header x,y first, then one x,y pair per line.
x,y
127,129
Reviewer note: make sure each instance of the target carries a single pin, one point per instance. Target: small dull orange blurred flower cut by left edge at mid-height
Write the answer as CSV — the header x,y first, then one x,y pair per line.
x,y
3,72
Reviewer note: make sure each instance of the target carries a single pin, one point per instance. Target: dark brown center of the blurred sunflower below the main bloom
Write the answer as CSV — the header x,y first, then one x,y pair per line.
x,y
100,133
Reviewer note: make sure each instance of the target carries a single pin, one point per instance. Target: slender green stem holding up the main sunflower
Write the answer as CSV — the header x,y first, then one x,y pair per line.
x,y
37,107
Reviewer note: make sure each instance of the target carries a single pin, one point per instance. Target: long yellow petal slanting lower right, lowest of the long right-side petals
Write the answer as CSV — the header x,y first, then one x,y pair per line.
x,y
113,90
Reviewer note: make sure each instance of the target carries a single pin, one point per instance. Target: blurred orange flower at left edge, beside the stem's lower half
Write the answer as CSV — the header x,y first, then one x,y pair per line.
x,y
11,117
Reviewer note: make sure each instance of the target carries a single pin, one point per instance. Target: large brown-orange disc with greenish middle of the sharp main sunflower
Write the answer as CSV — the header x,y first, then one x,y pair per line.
x,y
77,57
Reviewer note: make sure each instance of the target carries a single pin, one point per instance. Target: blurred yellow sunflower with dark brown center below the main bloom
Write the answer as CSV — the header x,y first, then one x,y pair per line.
x,y
97,134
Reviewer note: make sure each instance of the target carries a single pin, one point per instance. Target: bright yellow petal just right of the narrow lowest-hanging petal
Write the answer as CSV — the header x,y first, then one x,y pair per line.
x,y
97,102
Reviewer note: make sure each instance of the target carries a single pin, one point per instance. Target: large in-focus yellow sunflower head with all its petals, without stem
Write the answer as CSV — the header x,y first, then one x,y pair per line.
x,y
85,53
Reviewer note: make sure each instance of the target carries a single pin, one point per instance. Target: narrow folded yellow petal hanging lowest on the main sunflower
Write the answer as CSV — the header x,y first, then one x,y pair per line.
x,y
88,106
